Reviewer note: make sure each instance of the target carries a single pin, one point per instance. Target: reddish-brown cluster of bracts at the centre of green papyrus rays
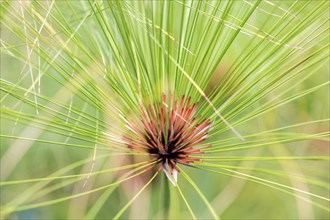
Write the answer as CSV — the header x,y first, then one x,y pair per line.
x,y
168,131
